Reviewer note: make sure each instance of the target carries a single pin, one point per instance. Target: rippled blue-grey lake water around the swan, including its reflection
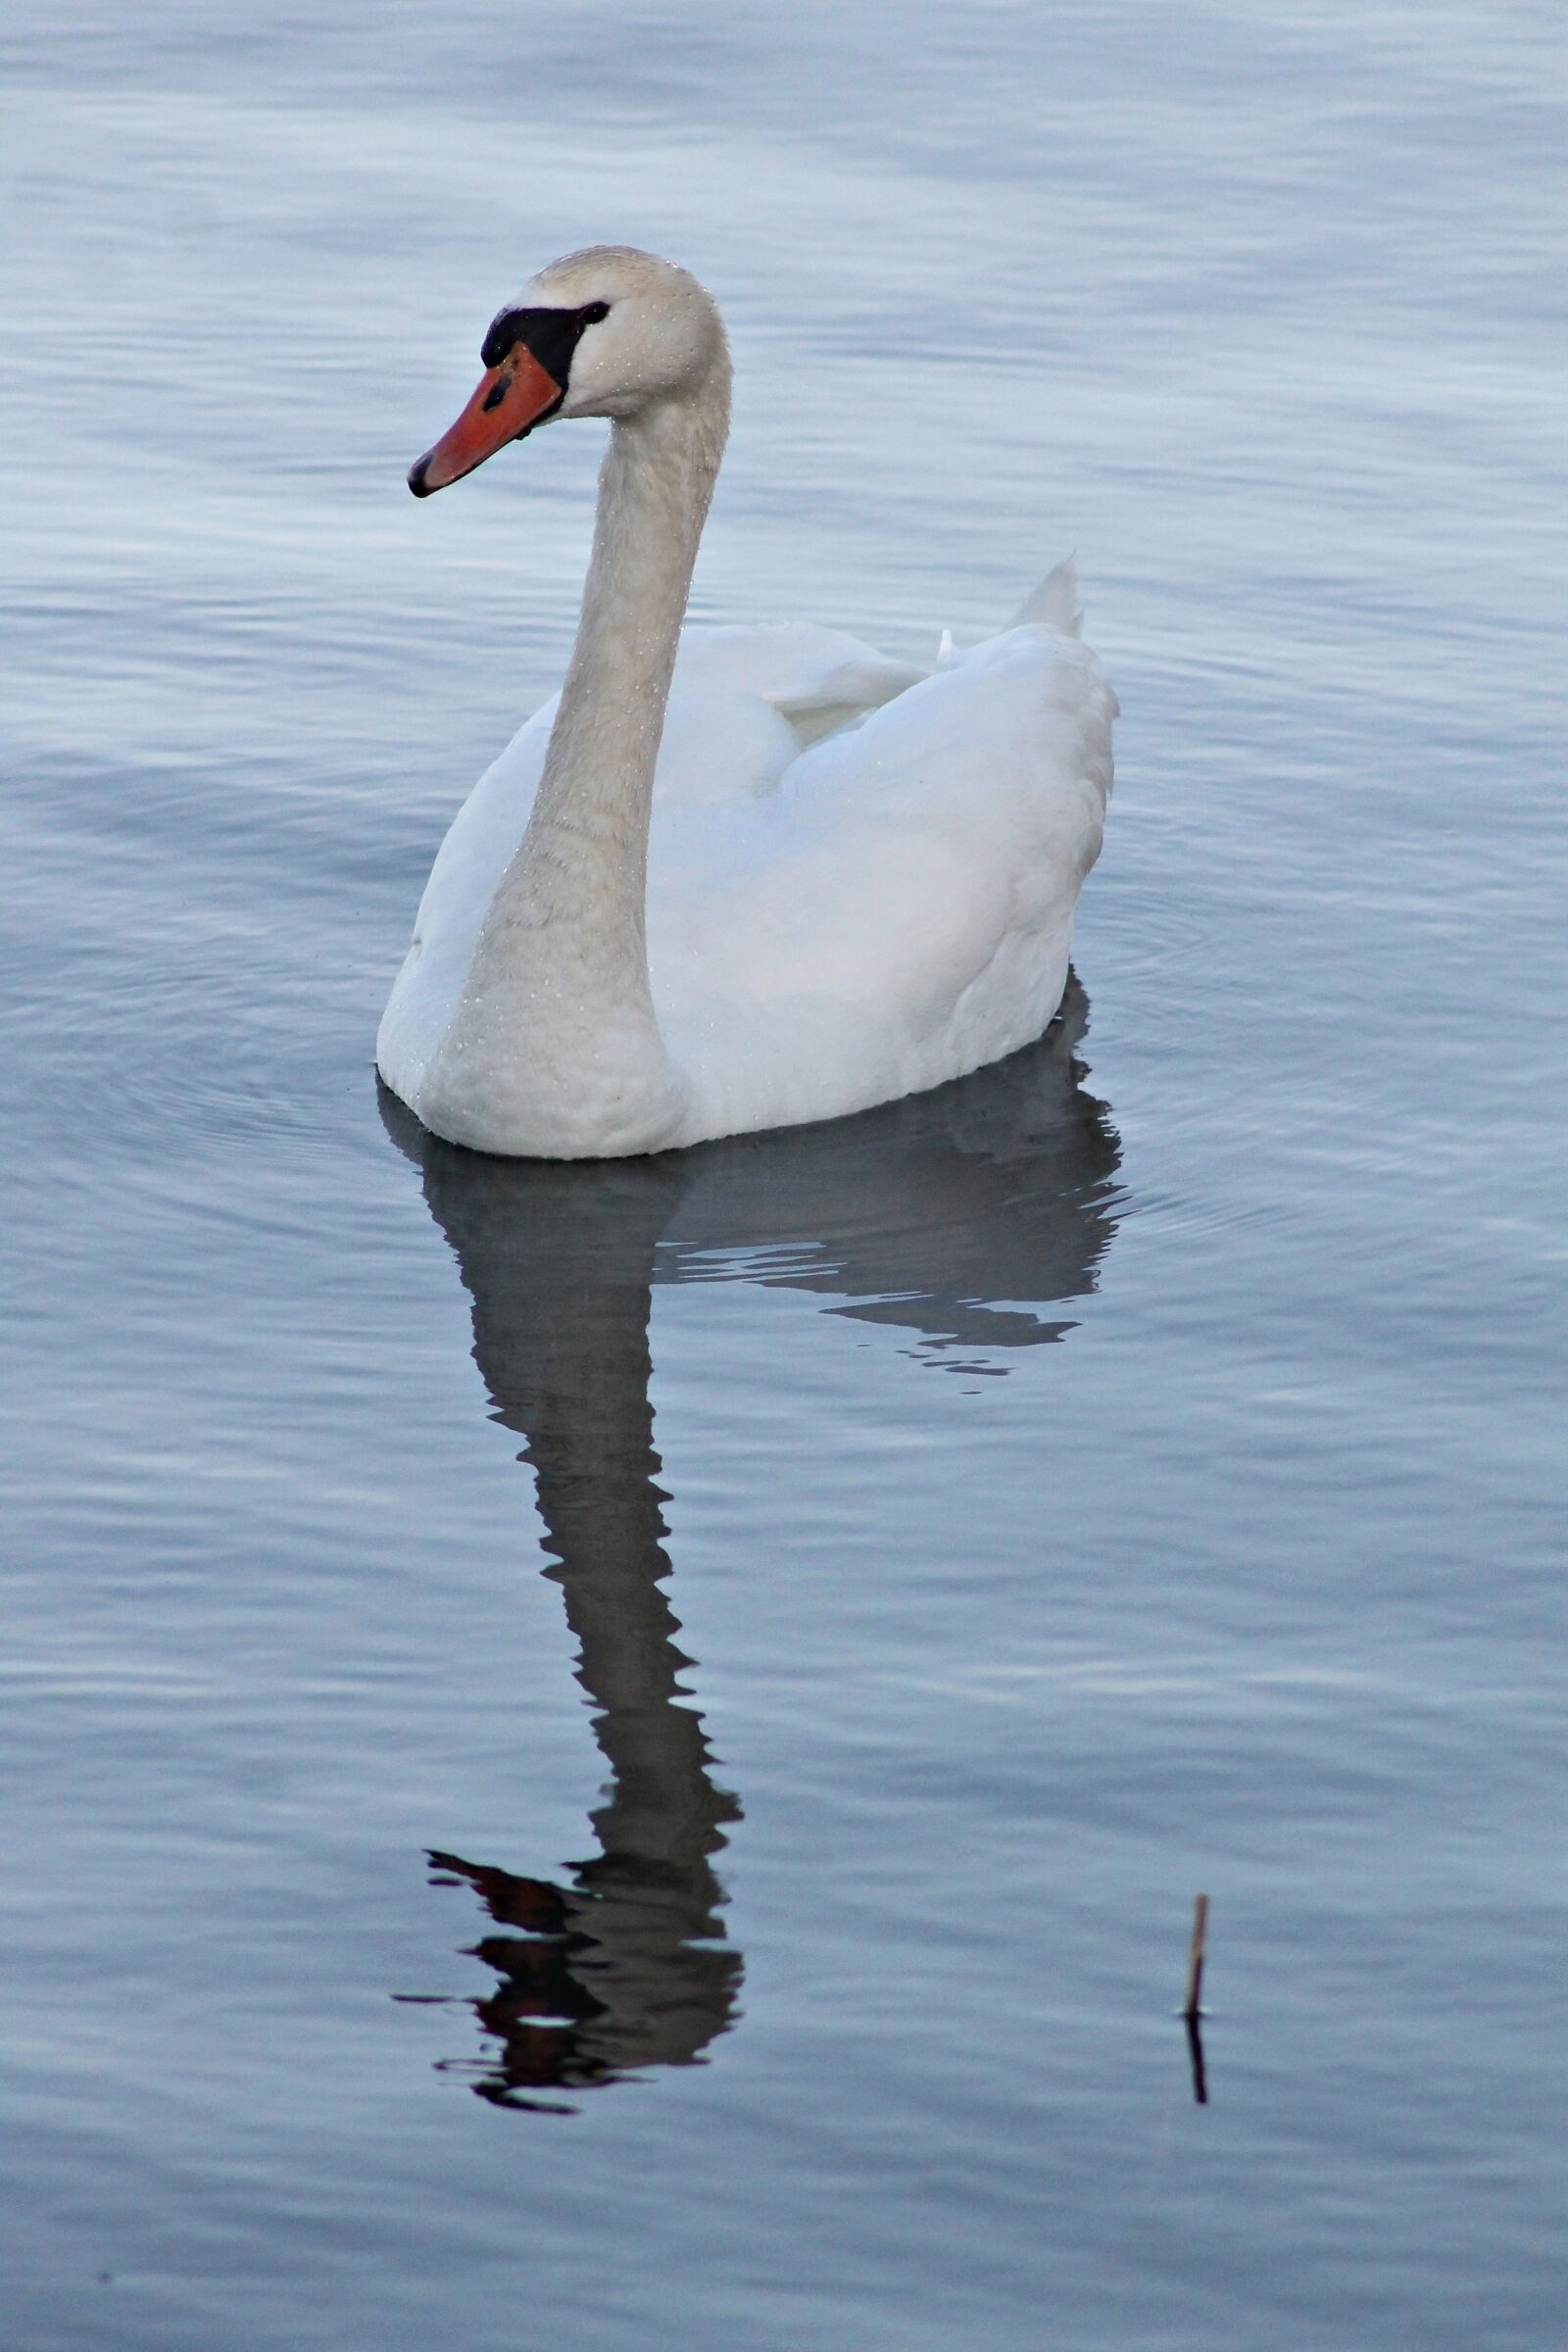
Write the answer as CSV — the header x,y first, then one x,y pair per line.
x,y
619,1758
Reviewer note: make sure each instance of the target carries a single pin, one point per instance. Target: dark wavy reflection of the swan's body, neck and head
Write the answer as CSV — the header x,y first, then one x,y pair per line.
x,y
956,1215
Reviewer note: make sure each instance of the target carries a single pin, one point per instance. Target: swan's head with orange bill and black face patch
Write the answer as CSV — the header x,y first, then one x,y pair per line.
x,y
605,333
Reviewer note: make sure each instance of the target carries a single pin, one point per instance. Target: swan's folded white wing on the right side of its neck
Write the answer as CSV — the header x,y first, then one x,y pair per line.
x,y
899,909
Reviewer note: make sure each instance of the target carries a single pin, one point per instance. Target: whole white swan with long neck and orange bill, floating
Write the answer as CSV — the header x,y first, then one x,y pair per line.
x,y
695,897
